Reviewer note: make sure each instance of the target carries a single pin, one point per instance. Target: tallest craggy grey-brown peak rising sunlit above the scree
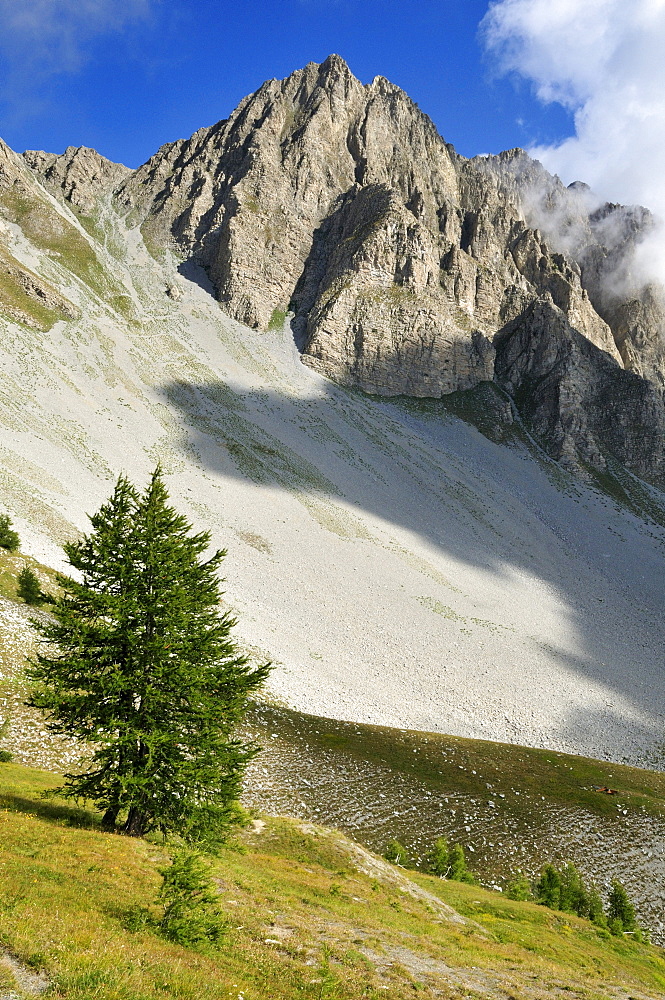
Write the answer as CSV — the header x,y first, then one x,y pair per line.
x,y
399,259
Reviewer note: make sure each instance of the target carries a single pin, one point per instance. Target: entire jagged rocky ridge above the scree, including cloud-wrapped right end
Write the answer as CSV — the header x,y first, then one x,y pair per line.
x,y
405,268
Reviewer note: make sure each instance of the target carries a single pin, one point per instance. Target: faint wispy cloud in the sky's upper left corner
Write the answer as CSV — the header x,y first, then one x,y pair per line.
x,y
40,39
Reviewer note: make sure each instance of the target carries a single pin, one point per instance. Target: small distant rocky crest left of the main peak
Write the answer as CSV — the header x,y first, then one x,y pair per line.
x,y
80,175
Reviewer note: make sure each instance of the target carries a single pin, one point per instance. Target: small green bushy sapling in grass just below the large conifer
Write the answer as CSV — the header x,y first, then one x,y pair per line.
x,y
191,914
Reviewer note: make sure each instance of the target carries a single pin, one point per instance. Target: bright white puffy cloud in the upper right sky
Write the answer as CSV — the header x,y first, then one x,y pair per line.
x,y
603,60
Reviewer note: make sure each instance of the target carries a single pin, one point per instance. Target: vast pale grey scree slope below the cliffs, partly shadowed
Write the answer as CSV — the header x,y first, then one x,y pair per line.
x,y
399,566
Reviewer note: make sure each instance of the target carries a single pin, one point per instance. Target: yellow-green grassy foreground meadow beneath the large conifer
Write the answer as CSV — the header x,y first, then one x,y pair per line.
x,y
310,914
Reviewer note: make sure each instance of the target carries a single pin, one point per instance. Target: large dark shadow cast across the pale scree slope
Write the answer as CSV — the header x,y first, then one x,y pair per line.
x,y
493,506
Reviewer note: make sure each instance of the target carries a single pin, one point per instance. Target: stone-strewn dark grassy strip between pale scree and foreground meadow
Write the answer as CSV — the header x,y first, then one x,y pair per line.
x,y
513,808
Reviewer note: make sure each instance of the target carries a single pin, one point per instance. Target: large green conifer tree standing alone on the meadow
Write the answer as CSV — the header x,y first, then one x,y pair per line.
x,y
138,663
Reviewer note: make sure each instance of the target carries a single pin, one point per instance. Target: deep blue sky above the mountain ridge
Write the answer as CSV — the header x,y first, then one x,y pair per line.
x,y
125,76
